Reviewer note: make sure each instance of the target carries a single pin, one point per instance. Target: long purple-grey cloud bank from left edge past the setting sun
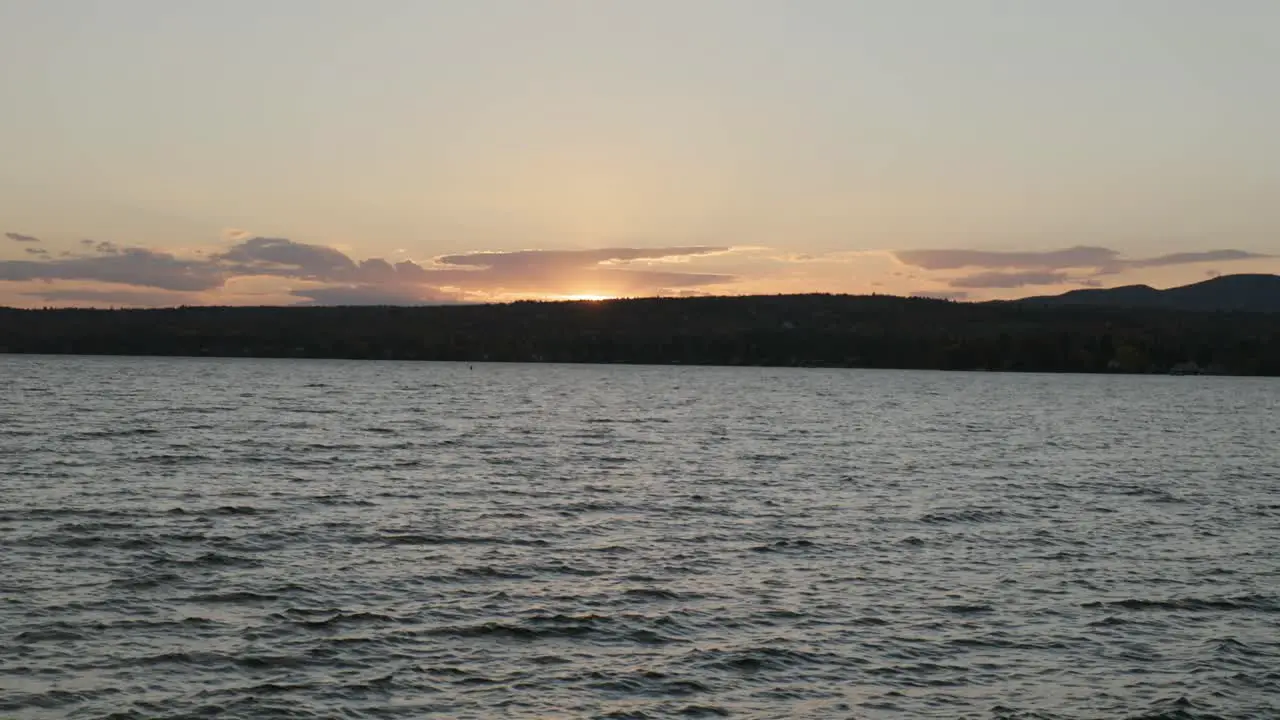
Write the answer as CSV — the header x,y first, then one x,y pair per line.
x,y
349,282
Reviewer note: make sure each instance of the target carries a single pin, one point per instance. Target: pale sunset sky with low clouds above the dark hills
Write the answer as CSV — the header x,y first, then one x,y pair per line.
x,y
404,152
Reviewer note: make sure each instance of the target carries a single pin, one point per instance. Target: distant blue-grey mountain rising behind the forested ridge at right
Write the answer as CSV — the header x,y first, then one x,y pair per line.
x,y
1245,293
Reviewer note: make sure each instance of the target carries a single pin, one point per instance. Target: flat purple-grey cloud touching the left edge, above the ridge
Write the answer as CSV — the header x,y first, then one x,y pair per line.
x,y
132,267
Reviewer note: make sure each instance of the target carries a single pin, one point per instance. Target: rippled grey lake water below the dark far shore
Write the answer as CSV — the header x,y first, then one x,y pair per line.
x,y
243,539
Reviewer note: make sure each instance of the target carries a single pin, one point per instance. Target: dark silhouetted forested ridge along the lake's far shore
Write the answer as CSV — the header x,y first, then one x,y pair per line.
x,y
797,330
